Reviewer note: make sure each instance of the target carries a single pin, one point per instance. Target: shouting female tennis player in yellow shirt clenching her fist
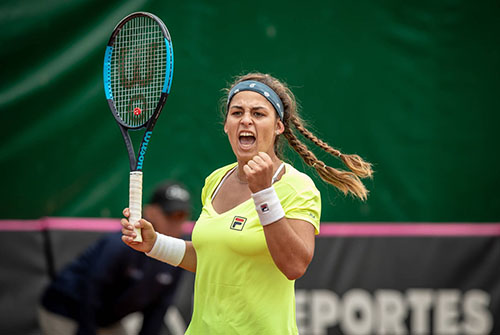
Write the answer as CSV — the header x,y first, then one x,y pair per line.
x,y
255,234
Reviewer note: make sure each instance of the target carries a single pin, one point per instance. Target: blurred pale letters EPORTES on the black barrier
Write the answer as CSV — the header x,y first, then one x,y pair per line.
x,y
388,311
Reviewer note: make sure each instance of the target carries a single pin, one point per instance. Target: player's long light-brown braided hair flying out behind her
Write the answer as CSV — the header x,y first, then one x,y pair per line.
x,y
346,181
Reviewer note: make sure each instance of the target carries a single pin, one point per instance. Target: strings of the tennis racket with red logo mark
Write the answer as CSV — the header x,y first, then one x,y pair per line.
x,y
138,66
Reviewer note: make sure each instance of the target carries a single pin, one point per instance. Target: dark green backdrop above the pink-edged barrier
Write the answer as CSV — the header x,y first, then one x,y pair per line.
x,y
411,86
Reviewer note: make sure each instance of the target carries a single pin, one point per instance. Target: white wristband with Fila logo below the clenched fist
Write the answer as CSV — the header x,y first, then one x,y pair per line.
x,y
268,206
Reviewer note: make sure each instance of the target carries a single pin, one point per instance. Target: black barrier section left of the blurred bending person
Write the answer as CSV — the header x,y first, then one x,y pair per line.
x,y
29,259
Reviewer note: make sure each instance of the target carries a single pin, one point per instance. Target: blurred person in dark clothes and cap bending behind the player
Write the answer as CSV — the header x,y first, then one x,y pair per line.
x,y
110,281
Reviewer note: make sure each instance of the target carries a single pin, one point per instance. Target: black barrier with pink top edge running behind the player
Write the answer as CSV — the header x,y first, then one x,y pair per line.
x,y
404,284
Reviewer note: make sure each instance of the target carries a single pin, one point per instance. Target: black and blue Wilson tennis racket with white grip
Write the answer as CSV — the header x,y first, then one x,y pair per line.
x,y
138,68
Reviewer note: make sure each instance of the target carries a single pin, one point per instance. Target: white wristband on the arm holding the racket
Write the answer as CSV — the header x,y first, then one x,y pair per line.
x,y
168,249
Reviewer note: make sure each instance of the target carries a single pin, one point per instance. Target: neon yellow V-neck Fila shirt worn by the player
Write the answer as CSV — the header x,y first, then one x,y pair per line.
x,y
238,288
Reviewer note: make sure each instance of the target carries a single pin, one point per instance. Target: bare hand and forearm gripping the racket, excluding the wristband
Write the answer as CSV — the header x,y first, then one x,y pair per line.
x,y
149,238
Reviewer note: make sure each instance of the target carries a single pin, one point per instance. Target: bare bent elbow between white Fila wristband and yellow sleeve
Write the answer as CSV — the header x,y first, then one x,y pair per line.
x,y
291,244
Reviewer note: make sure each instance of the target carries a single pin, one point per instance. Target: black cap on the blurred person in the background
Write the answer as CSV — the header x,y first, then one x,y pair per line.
x,y
172,197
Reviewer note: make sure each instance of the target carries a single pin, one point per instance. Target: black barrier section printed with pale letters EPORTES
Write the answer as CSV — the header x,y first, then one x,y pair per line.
x,y
403,285
